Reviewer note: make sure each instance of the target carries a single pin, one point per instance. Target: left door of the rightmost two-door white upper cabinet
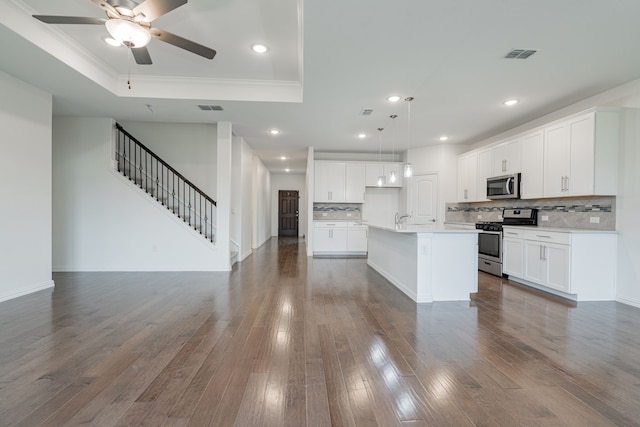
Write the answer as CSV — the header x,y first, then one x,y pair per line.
x,y
556,160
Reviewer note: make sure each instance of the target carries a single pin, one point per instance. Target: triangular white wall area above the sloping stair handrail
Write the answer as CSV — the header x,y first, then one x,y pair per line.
x,y
189,148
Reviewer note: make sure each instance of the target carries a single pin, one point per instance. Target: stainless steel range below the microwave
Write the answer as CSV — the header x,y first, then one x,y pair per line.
x,y
490,238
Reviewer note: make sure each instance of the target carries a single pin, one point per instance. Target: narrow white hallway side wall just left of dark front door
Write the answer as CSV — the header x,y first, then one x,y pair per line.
x,y
261,192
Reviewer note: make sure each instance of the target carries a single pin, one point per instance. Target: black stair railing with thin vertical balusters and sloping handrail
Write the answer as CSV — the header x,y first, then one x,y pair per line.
x,y
165,184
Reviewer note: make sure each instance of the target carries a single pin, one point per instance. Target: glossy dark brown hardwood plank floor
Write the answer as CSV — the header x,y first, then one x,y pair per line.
x,y
285,340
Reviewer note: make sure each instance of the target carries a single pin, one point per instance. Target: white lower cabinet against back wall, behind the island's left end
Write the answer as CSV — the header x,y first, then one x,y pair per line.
x,y
339,237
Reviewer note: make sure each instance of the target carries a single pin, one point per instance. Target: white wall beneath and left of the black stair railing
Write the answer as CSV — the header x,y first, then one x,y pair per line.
x,y
103,222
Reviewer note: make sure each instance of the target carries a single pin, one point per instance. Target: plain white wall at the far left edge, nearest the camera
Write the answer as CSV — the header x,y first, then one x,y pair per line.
x,y
25,170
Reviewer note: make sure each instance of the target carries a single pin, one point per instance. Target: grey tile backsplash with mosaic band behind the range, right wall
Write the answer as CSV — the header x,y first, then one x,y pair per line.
x,y
573,212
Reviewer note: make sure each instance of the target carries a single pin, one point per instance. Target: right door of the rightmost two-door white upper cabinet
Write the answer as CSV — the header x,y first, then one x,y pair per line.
x,y
581,176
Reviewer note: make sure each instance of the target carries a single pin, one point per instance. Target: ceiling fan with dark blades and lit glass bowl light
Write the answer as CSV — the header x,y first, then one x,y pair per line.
x,y
129,23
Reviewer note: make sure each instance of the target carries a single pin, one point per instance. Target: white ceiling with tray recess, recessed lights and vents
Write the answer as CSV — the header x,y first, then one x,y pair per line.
x,y
448,55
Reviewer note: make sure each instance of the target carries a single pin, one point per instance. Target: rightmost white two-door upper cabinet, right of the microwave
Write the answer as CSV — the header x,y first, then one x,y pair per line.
x,y
580,155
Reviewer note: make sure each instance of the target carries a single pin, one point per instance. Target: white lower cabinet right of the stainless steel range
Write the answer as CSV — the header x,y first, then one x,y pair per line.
x,y
577,264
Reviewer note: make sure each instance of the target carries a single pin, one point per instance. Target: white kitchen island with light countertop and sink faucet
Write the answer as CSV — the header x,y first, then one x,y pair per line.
x,y
425,262
